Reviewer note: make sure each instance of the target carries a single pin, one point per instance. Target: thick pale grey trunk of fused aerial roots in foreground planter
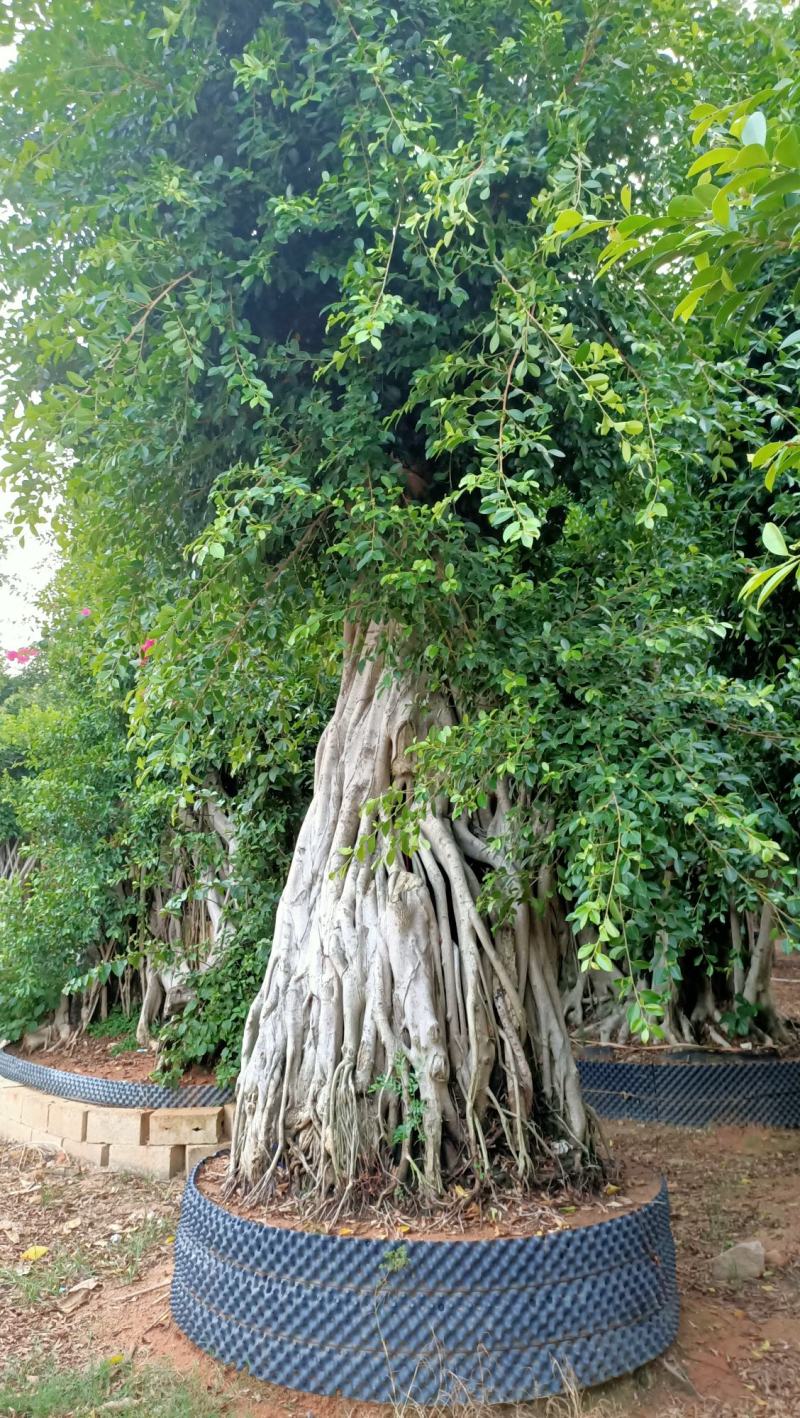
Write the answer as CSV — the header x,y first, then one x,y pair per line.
x,y
399,1032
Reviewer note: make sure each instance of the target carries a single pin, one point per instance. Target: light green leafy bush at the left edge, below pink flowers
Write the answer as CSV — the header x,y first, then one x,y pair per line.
x,y
66,798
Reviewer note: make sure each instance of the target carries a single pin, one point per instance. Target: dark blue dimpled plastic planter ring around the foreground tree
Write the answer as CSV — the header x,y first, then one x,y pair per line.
x,y
432,1321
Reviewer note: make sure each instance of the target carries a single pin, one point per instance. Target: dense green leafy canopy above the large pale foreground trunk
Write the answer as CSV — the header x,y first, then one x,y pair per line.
x,y
304,325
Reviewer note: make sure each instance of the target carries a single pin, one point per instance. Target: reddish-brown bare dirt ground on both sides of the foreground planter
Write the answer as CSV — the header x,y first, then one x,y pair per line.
x,y
103,1287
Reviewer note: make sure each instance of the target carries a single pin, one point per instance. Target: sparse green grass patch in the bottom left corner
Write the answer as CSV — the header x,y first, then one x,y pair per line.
x,y
154,1392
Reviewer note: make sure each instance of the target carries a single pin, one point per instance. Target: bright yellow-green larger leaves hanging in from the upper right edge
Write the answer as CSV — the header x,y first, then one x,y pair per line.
x,y
730,249
